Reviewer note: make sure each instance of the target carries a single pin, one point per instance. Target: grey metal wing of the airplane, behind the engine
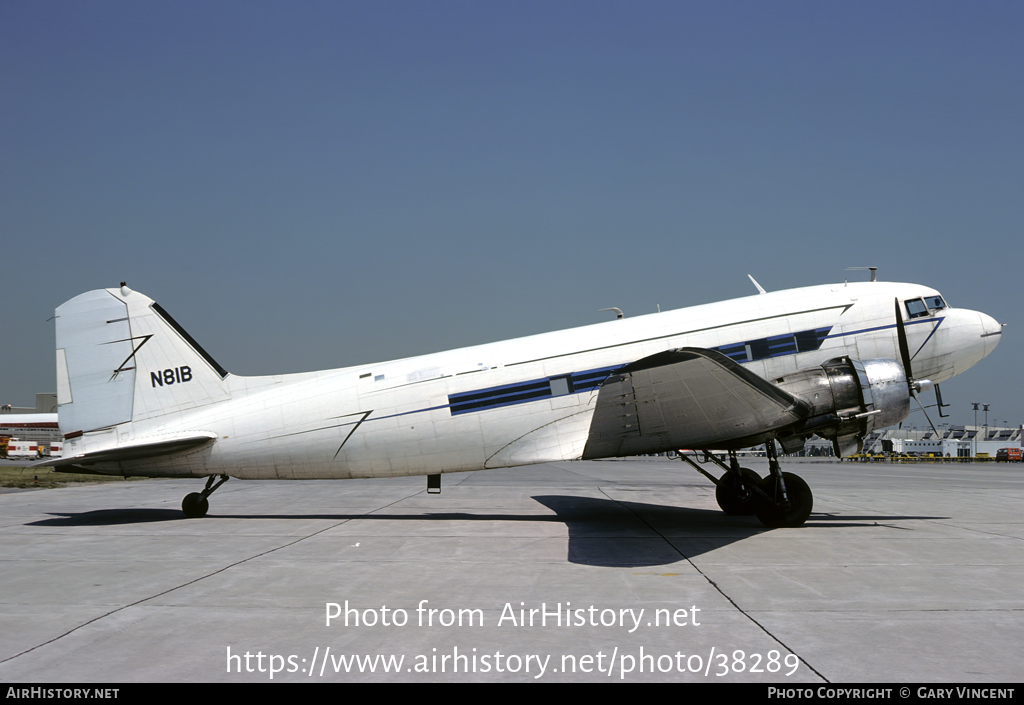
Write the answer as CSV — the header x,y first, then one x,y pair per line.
x,y
688,398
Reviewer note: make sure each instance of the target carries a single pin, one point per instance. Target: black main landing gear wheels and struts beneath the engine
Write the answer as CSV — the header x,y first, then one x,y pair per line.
x,y
780,501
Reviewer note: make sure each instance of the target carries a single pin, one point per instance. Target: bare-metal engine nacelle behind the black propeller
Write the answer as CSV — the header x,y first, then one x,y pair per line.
x,y
848,399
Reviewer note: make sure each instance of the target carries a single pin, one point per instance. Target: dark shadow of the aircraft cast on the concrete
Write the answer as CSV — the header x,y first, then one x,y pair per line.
x,y
603,532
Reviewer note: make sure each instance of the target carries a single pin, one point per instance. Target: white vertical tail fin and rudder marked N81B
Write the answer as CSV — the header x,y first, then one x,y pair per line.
x,y
122,358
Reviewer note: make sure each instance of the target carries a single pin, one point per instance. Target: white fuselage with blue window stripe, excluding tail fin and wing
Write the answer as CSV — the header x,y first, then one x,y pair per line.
x,y
529,400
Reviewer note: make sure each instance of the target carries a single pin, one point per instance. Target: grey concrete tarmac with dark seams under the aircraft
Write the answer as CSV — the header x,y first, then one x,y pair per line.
x,y
903,574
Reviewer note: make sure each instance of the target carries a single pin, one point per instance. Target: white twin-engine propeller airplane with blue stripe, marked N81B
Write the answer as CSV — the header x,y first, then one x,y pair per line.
x,y
138,396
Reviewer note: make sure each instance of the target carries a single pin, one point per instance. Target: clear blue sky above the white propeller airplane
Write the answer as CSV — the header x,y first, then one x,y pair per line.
x,y
307,186
